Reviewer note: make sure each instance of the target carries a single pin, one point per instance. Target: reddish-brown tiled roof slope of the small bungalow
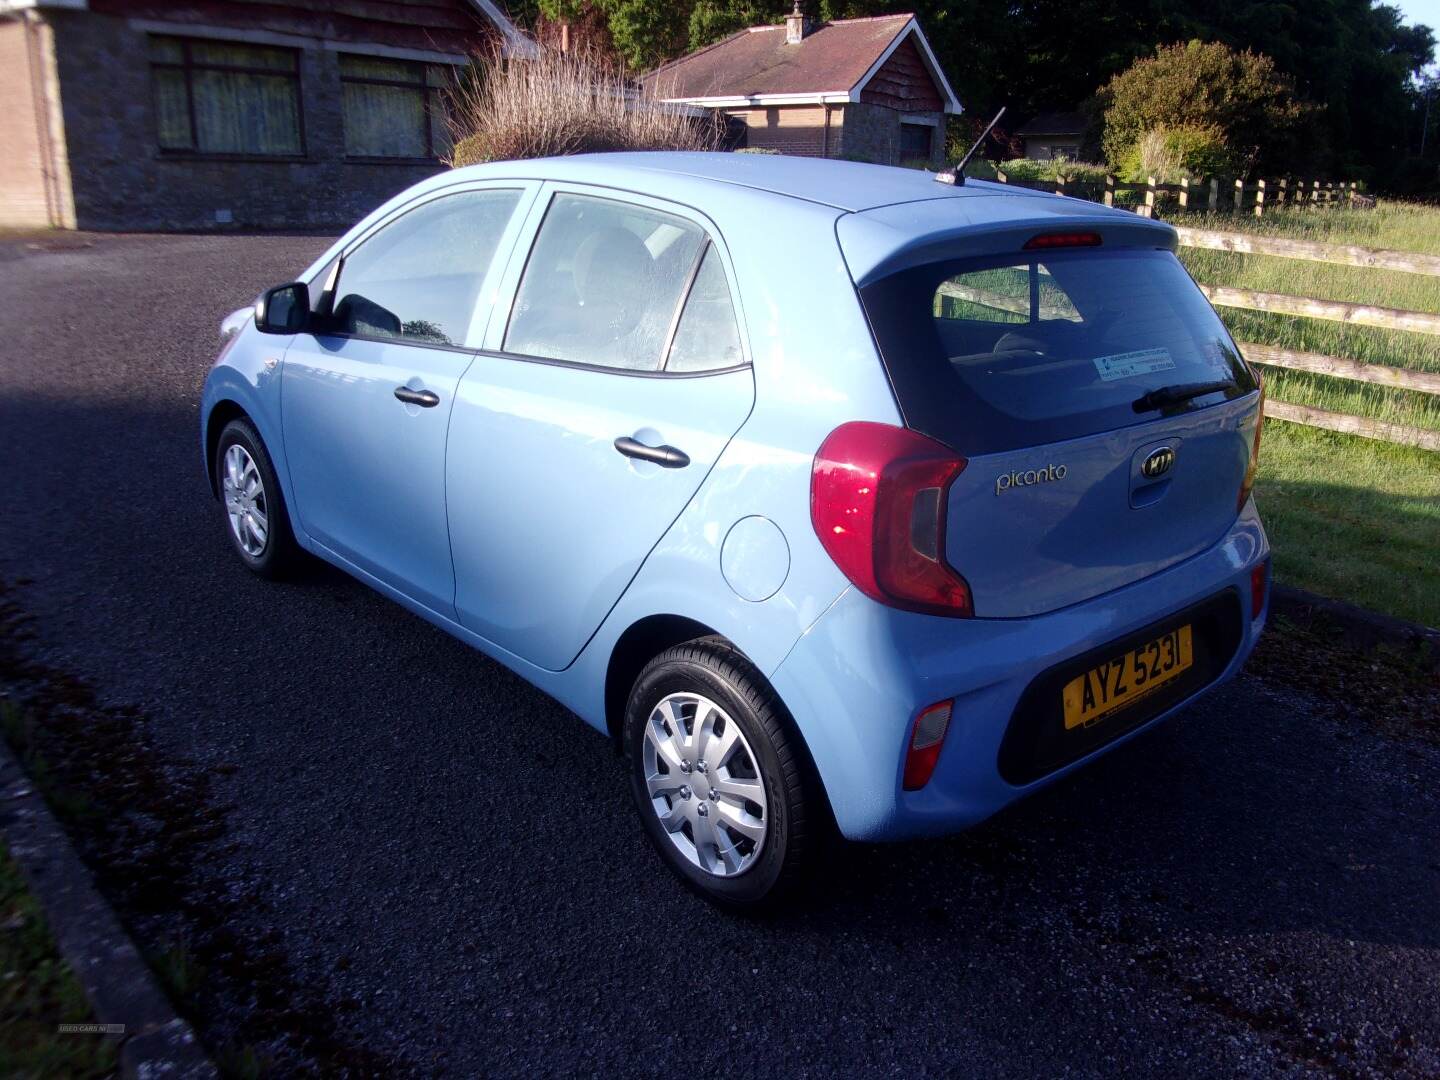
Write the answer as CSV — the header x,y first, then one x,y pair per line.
x,y
833,58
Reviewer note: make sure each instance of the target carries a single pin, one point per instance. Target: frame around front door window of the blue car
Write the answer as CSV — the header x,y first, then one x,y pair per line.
x,y
333,270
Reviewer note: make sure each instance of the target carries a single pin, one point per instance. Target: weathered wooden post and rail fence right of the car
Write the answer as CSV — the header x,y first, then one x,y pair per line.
x,y
1354,315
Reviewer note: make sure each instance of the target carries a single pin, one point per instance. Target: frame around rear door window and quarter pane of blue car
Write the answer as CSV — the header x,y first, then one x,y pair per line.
x,y
516,273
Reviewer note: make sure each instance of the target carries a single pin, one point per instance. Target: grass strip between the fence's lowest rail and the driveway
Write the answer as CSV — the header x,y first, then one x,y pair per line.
x,y
1353,519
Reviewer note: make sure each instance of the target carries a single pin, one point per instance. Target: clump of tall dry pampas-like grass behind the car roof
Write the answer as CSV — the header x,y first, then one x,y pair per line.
x,y
559,104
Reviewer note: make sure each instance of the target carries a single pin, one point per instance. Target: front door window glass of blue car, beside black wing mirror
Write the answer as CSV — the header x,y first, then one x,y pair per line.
x,y
418,279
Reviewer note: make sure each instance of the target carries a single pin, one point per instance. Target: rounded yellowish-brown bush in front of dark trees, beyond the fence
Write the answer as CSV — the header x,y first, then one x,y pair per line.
x,y
1222,97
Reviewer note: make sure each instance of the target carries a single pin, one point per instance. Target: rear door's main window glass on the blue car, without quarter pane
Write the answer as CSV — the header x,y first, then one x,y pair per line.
x,y
603,284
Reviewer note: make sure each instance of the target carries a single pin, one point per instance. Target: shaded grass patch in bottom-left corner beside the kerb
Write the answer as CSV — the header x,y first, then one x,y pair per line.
x,y
38,993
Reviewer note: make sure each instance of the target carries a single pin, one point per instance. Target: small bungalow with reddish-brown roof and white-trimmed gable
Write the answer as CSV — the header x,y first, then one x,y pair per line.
x,y
859,89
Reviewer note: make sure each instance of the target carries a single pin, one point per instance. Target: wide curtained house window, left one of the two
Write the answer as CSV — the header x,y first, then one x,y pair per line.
x,y
227,99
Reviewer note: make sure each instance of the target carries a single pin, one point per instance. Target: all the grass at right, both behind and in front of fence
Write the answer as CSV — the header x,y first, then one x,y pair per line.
x,y
1349,518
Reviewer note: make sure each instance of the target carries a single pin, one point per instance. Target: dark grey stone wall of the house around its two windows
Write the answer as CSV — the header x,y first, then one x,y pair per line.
x,y
122,181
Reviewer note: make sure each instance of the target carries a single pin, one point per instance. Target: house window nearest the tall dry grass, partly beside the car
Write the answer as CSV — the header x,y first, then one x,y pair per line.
x,y
395,109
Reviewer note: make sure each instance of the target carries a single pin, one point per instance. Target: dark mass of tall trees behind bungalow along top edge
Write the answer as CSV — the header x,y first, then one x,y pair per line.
x,y
1356,58
